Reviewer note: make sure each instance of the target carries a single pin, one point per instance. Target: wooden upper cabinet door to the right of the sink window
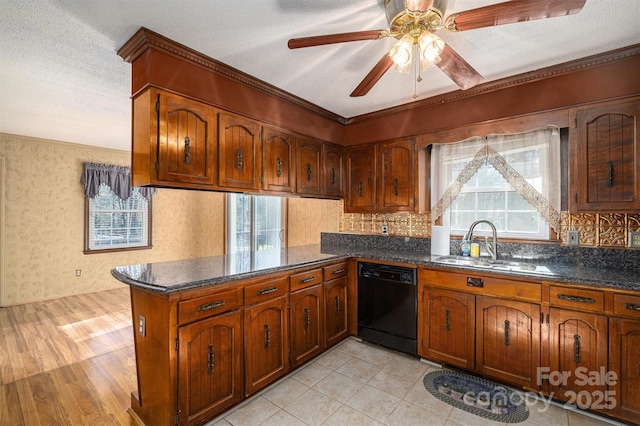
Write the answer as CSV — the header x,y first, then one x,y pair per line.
x,y
608,158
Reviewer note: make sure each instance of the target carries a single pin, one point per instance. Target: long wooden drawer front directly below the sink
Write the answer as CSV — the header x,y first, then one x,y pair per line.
x,y
484,285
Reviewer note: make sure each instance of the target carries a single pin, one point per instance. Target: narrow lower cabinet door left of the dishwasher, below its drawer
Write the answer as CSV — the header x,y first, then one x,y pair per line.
x,y
335,299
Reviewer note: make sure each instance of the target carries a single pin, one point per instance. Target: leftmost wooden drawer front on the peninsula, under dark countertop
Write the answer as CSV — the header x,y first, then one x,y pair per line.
x,y
207,306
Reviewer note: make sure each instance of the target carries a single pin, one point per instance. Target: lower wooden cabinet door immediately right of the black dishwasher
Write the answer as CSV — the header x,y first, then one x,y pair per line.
x,y
446,324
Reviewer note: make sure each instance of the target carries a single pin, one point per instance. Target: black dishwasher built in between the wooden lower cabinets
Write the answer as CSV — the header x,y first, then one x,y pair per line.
x,y
387,306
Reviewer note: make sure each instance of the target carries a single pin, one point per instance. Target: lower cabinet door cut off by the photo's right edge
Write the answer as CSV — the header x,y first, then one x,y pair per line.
x,y
624,361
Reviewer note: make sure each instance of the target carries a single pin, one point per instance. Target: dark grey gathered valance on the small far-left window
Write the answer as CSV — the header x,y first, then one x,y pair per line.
x,y
118,178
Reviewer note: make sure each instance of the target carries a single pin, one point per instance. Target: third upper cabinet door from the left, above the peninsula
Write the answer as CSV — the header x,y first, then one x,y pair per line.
x,y
278,157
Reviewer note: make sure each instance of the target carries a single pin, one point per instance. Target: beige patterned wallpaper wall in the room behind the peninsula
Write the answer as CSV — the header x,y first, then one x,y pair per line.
x,y
43,228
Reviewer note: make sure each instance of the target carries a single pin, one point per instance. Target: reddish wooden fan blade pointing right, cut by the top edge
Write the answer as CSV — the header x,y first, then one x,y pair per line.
x,y
513,11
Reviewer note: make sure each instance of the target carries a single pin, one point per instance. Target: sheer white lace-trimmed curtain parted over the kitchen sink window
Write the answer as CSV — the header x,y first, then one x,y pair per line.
x,y
529,162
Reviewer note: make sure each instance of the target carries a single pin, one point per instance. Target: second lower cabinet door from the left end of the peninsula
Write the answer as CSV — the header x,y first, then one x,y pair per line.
x,y
266,343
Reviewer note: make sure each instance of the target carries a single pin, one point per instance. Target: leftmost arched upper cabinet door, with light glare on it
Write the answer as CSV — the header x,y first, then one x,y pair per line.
x,y
186,130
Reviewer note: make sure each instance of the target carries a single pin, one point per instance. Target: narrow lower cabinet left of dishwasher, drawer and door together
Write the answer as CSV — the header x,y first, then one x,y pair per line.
x,y
336,298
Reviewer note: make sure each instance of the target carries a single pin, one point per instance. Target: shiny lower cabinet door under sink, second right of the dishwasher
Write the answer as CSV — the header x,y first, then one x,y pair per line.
x,y
508,340
